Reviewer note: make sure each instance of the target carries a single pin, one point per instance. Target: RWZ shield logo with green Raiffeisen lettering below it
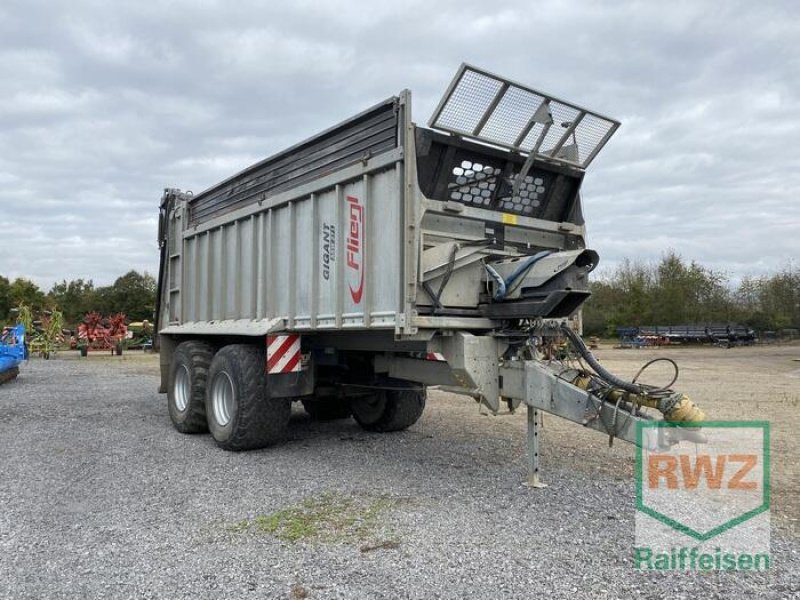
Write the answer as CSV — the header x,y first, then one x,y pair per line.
x,y
703,506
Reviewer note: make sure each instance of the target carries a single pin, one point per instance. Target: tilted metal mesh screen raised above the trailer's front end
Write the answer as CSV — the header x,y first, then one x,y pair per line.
x,y
491,109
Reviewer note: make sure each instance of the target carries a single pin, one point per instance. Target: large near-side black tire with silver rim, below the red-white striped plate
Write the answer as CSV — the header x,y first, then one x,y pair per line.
x,y
240,414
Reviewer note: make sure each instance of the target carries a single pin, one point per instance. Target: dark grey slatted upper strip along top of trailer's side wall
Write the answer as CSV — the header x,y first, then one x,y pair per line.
x,y
367,134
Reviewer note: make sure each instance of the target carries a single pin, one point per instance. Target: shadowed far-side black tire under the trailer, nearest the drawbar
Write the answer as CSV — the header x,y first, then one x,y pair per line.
x,y
387,410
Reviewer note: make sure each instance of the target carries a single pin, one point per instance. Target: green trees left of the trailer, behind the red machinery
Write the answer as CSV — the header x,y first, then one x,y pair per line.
x,y
133,294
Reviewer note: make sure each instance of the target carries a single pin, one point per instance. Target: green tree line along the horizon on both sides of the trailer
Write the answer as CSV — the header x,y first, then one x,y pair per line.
x,y
669,292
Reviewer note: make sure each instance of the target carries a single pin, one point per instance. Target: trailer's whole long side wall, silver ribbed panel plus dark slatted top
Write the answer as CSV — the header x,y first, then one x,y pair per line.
x,y
326,254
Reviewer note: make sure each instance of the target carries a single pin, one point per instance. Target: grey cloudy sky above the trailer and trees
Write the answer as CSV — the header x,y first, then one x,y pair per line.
x,y
105,103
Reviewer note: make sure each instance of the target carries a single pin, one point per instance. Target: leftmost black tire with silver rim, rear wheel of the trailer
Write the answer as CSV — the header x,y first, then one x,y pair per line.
x,y
186,392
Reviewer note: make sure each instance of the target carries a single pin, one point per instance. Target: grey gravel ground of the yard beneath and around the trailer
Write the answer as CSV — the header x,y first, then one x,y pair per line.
x,y
101,498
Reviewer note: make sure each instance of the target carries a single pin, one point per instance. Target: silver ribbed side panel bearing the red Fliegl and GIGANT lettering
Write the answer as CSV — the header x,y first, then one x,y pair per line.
x,y
328,260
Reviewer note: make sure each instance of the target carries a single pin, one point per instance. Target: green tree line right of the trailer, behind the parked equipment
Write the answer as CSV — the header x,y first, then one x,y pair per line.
x,y
676,292
